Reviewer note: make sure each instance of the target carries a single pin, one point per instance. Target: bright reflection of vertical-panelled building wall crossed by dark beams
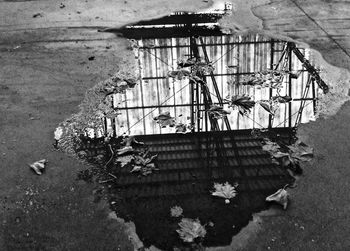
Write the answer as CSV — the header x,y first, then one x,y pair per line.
x,y
163,42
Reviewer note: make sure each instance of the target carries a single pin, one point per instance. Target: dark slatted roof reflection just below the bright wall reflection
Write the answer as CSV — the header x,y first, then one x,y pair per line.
x,y
182,160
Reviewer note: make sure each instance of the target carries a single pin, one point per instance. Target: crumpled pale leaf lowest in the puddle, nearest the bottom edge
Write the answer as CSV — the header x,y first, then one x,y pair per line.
x,y
190,230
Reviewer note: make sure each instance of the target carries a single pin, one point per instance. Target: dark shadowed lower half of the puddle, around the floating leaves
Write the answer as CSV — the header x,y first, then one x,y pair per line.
x,y
185,178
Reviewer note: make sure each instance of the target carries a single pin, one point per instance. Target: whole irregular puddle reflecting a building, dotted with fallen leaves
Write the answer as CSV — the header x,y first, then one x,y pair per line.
x,y
224,94
